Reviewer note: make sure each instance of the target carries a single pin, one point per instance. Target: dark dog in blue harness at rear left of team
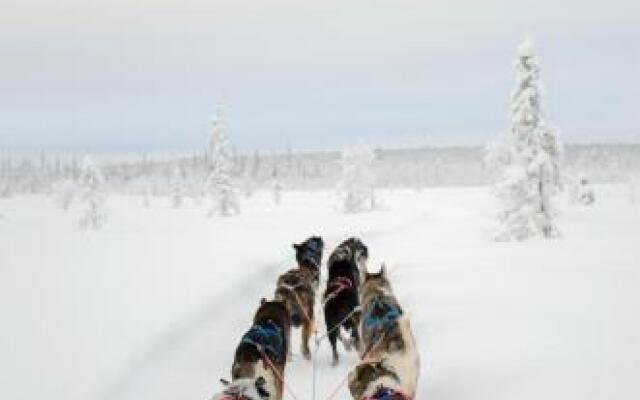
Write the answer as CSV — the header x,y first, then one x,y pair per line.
x,y
258,367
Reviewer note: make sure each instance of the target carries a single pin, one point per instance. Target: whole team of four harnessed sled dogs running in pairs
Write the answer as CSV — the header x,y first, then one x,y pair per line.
x,y
355,302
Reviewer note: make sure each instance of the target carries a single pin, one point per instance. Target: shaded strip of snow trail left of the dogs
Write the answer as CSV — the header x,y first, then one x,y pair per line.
x,y
175,356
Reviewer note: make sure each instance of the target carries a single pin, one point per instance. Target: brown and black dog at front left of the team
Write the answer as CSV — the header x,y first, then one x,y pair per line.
x,y
297,288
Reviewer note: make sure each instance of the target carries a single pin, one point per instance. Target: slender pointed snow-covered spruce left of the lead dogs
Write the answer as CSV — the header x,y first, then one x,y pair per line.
x,y
220,181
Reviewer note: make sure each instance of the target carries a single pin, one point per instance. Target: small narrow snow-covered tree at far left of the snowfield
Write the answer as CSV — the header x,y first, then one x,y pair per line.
x,y
92,194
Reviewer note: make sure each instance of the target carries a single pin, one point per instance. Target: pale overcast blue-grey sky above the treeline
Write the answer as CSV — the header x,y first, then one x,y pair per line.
x,y
122,75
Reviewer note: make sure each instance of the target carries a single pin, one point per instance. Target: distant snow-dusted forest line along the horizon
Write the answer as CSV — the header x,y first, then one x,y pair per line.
x,y
297,170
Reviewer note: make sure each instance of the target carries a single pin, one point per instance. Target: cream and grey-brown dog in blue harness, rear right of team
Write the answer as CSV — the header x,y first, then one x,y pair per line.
x,y
390,363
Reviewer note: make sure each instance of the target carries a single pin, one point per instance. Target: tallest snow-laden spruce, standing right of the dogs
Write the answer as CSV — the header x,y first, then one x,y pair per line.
x,y
527,162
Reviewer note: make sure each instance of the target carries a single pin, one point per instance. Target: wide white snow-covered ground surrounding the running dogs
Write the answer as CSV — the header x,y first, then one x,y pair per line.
x,y
152,306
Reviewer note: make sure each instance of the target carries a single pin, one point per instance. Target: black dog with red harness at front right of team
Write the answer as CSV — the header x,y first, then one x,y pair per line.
x,y
340,299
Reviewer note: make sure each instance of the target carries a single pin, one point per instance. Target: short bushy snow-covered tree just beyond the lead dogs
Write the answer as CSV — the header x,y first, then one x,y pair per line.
x,y
356,186
